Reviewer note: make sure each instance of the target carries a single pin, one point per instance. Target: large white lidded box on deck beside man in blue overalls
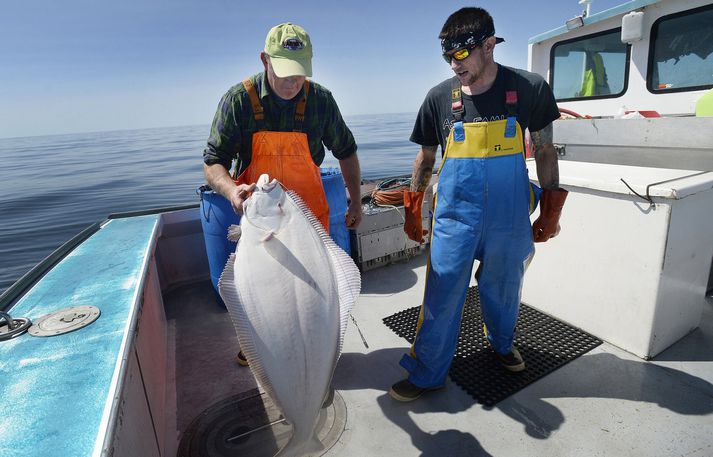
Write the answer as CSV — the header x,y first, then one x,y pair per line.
x,y
629,272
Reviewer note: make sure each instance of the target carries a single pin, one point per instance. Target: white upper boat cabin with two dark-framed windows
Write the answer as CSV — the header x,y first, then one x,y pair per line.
x,y
650,56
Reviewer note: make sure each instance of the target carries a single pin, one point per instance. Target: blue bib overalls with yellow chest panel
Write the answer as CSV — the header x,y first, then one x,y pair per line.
x,y
482,211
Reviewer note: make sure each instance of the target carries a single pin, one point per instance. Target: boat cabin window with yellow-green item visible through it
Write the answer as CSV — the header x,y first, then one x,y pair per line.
x,y
594,66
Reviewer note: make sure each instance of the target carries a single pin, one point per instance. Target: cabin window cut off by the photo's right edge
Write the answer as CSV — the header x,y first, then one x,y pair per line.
x,y
681,52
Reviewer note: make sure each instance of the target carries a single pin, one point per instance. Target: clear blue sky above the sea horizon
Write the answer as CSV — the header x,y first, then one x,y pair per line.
x,y
90,65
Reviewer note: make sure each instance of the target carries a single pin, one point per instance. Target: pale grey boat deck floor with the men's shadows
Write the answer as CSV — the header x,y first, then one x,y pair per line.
x,y
607,402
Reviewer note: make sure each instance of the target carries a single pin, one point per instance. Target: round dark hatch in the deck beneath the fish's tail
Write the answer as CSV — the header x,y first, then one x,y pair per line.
x,y
249,424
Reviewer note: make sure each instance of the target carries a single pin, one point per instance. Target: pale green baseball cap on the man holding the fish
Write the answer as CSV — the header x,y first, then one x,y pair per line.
x,y
290,50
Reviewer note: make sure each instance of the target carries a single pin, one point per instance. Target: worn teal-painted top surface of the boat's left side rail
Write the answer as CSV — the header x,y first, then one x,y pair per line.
x,y
56,393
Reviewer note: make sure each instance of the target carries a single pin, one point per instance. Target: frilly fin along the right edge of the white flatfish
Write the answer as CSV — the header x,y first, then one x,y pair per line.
x,y
347,273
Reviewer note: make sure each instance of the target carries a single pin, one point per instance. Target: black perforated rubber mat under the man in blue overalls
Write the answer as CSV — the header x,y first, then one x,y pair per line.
x,y
544,342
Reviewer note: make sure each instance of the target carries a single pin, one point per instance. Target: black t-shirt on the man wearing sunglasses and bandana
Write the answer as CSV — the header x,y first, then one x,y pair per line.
x,y
536,106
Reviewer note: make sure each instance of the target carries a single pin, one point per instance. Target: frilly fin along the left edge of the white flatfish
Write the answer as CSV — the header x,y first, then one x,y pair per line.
x,y
229,293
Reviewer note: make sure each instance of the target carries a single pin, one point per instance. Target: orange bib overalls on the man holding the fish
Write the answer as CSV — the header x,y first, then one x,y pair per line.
x,y
285,156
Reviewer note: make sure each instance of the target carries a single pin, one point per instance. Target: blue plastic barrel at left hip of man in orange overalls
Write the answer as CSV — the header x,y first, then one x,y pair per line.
x,y
216,216
